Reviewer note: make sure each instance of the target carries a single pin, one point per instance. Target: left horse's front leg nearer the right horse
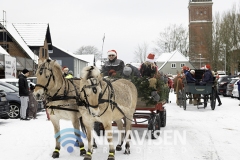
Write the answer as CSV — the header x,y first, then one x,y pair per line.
x,y
76,125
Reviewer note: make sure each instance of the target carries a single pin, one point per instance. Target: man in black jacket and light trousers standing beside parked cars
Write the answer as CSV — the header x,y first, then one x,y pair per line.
x,y
23,93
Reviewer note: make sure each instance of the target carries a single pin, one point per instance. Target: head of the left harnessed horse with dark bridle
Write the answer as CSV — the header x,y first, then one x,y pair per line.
x,y
49,75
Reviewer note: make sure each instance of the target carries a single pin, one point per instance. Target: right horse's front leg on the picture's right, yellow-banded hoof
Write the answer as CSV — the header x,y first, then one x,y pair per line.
x,y
108,129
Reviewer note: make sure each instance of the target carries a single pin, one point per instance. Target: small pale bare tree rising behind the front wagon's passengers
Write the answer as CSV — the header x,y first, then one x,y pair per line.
x,y
141,53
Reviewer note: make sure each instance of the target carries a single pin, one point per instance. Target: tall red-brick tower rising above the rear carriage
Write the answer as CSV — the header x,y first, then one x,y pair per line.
x,y
200,32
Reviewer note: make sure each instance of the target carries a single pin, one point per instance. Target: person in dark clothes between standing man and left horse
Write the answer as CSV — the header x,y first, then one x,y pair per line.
x,y
33,104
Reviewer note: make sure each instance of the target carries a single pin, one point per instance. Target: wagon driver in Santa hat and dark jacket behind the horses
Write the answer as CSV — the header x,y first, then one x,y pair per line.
x,y
113,66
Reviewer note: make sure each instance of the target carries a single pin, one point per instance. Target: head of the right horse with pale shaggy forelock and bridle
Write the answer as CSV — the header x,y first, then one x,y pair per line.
x,y
91,89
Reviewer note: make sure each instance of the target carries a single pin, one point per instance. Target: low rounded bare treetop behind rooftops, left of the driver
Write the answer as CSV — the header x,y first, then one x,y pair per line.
x,y
89,50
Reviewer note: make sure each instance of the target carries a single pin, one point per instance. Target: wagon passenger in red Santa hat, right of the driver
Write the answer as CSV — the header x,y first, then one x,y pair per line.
x,y
149,67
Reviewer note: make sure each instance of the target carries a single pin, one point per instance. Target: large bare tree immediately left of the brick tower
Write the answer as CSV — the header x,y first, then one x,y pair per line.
x,y
173,37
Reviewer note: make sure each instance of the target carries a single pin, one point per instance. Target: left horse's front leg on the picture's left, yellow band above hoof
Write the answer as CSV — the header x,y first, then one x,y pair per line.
x,y
56,127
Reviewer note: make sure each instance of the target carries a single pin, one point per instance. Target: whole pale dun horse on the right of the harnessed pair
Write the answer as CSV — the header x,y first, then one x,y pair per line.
x,y
107,101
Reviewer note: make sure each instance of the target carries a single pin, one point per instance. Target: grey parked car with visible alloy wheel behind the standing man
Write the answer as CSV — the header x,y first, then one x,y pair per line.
x,y
14,99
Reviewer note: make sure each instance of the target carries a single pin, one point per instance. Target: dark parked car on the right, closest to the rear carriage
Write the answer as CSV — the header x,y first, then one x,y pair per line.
x,y
222,84
